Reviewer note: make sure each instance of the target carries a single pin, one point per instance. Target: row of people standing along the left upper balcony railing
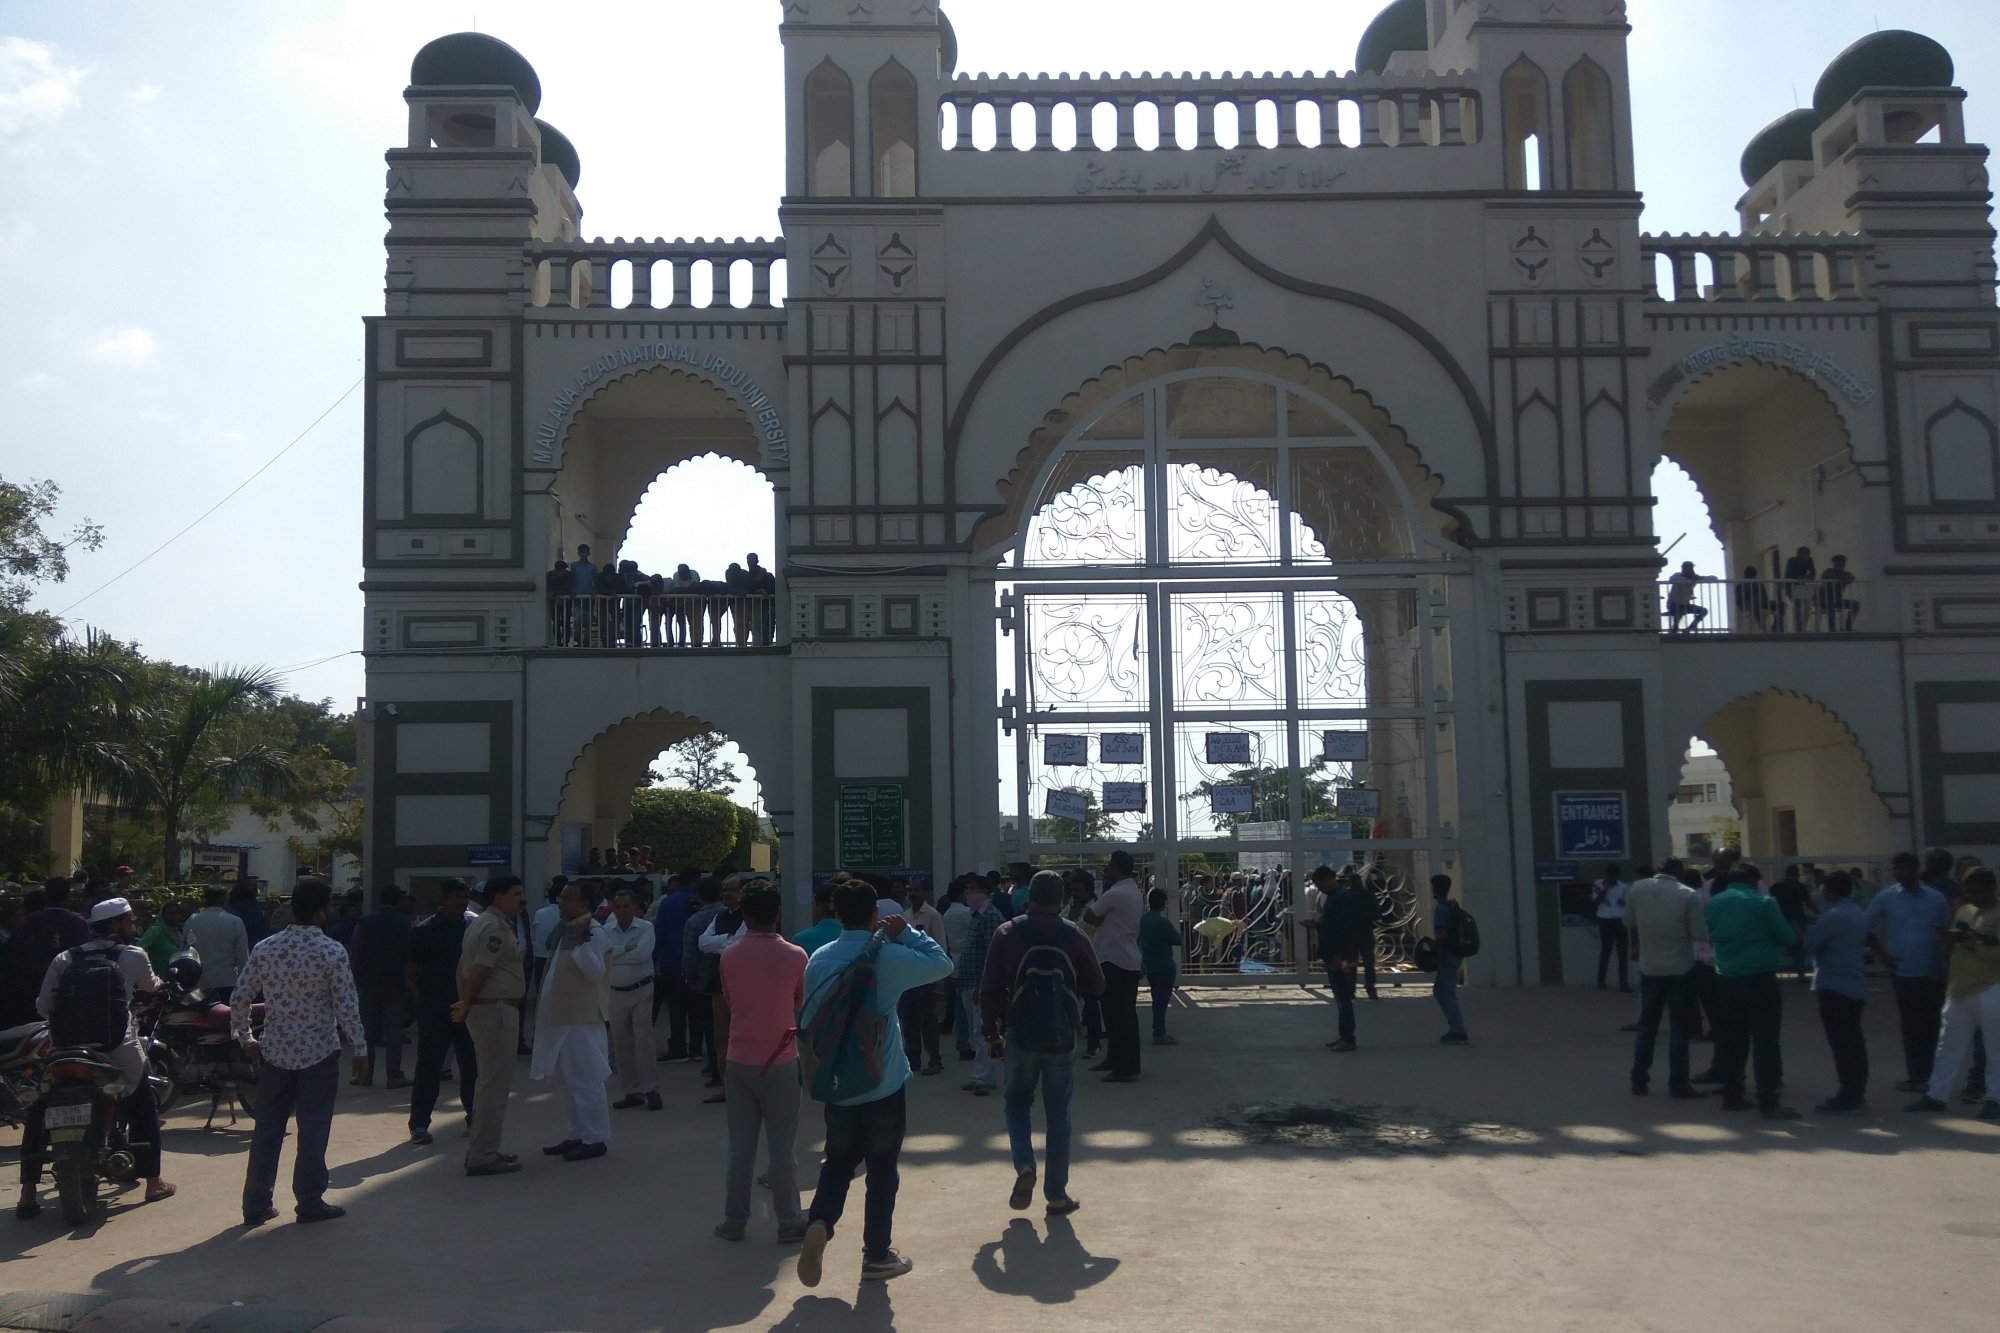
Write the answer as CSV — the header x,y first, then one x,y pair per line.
x,y
617,605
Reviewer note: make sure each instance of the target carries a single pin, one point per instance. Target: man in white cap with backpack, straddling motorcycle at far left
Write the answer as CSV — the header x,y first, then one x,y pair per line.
x,y
87,1000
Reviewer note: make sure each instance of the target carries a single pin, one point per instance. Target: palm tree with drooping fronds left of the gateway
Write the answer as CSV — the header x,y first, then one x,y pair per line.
x,y
189,756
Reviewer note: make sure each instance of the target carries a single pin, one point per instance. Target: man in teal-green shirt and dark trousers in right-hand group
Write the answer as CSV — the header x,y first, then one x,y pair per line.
x,y
1749,936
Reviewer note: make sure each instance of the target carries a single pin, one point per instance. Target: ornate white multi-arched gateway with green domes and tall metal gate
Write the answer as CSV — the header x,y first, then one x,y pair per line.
x,y
1293,433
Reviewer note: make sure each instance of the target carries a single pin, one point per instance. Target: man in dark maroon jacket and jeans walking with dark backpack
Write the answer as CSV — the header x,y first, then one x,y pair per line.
x,y
1031,1008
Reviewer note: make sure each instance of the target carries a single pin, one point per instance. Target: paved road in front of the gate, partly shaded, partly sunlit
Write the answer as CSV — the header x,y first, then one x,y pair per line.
x,y
1561,1204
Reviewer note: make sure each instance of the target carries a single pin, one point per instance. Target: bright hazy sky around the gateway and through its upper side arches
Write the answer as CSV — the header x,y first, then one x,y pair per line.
x,y
193,231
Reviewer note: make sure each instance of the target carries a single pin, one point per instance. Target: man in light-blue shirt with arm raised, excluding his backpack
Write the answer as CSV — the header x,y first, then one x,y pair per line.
x,y
867,1128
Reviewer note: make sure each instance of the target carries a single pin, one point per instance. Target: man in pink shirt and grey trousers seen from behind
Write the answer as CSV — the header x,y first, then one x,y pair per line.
x,y
765,988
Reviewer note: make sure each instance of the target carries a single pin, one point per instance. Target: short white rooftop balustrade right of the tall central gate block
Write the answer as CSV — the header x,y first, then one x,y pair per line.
x,y
1777,267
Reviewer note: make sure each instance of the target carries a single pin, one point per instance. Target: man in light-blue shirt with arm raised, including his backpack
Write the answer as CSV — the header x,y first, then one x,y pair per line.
x,y
851,1024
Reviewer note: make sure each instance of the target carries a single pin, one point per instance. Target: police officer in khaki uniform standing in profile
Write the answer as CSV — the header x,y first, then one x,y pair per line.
x,y
491,988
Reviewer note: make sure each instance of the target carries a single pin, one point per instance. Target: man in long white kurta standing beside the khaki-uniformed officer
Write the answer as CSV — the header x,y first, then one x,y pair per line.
x,y
569,1044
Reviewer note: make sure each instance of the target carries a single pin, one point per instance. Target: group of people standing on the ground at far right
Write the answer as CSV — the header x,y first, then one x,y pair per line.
x,y
1711,948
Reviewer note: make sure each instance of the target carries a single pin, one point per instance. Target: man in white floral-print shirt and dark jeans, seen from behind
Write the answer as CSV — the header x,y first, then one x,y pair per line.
x,y
309,1006
